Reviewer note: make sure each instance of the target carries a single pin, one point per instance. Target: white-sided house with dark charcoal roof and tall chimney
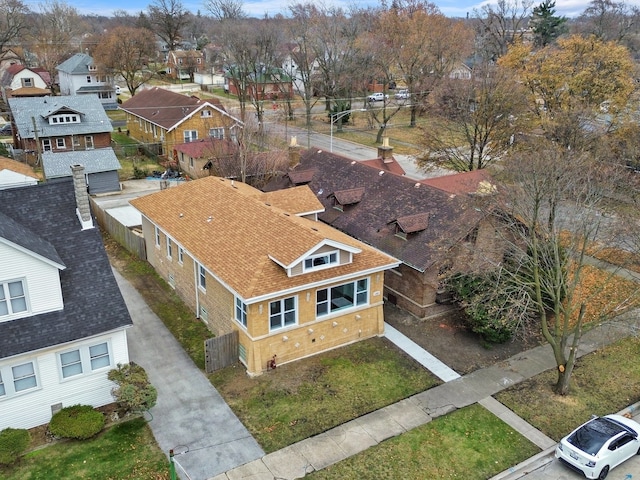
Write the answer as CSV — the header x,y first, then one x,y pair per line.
x,y
58,338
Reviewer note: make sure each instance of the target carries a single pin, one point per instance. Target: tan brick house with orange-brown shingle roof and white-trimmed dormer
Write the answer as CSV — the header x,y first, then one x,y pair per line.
x,y
261,264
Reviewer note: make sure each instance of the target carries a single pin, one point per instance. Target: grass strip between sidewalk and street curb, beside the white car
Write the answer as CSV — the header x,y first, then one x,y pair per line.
x,y
470,444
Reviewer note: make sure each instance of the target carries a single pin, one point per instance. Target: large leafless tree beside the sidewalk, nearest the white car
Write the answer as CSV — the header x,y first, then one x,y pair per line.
x,y
555,196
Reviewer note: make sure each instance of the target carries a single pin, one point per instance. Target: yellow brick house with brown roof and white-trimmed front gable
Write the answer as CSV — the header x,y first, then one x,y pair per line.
x,y
165,119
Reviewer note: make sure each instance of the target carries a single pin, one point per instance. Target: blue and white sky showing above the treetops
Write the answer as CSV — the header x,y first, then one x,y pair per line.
x,y
257,8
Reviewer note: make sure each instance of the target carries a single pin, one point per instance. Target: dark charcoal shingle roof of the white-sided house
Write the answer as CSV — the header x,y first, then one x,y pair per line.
x,y
48,211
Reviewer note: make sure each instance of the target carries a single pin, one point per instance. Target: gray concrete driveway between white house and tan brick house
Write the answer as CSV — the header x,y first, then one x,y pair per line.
x,y
190,416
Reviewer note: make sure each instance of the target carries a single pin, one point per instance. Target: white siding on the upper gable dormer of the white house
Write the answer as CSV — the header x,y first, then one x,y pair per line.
x,y
42,278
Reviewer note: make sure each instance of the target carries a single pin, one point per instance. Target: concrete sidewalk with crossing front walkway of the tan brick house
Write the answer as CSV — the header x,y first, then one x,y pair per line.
x,y
362,433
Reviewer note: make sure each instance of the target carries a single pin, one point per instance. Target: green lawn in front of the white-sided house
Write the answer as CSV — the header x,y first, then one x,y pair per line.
x,y
124,451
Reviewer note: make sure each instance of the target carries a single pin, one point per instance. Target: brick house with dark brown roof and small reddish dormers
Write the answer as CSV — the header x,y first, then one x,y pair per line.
x,y
432,231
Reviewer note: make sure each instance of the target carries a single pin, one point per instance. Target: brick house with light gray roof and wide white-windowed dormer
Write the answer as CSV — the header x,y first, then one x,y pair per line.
x,y
61,124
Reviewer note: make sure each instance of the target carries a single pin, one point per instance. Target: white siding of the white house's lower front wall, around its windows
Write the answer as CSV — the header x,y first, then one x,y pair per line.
x,y
33,408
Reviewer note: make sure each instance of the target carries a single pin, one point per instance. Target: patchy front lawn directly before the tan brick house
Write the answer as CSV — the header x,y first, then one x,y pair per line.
x,y
310,396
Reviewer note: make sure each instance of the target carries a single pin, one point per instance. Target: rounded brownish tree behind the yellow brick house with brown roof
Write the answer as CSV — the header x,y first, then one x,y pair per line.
x,y
127,51
